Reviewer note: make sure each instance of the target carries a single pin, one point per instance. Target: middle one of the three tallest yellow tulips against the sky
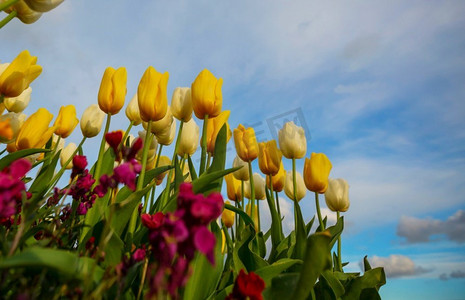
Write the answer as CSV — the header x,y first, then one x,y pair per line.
x,y
151,94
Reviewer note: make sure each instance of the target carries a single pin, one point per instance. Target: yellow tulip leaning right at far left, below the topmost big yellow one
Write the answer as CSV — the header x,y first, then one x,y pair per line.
x,y
35,131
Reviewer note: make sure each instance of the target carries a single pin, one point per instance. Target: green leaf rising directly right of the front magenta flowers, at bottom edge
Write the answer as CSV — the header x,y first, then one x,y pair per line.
x,y
205,277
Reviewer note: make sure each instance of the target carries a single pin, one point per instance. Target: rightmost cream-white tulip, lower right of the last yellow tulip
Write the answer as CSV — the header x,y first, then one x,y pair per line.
x,y
337,195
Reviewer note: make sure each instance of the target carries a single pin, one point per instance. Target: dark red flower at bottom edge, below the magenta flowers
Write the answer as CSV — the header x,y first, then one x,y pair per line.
x,y
247,286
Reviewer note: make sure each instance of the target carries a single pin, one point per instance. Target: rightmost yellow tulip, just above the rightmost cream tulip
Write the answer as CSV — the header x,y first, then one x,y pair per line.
x,y
316,172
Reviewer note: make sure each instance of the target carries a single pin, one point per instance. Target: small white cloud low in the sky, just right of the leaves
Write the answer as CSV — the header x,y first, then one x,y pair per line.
x,y
397,265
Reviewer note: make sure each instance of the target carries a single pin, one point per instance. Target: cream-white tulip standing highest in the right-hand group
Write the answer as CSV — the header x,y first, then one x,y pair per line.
x,y
292,141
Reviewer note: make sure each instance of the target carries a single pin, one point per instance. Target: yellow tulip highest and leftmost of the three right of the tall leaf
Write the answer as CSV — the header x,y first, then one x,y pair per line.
x,y
246,143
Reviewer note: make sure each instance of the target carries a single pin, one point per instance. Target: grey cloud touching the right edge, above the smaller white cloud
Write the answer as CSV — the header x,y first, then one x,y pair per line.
x,y
417,230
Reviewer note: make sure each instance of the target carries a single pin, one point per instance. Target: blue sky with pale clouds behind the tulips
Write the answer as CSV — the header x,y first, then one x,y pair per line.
x,y
380,85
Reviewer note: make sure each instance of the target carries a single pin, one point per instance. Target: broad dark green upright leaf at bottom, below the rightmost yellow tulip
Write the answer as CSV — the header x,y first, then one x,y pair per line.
x,y
317,259
